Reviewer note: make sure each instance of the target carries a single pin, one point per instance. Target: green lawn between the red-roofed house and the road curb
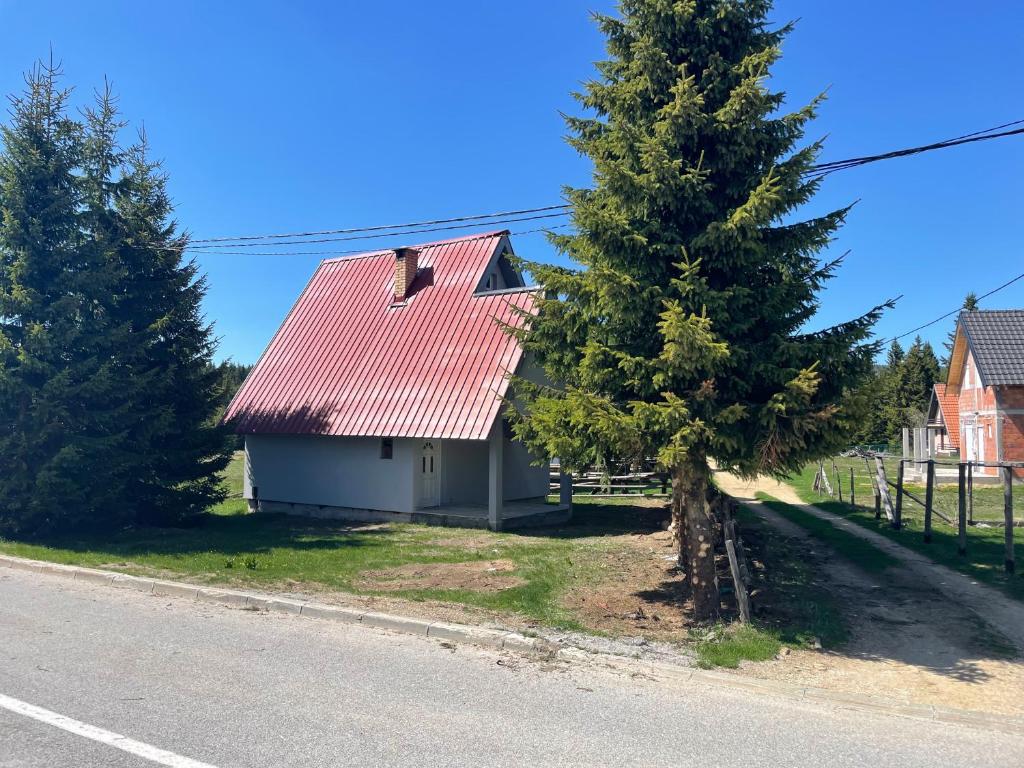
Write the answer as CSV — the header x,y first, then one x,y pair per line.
x,y
230,547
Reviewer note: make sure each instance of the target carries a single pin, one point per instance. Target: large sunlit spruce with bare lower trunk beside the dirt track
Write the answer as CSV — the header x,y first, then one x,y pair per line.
x,y
685,334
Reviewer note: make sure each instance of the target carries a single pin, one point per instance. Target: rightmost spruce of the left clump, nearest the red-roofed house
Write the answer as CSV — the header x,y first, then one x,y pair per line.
x,y
180,447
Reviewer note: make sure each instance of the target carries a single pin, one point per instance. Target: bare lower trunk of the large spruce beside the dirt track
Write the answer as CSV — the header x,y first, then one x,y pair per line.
x,y
697,537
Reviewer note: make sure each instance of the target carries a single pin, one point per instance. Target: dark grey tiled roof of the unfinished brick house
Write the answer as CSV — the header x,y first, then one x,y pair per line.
x,y
997,340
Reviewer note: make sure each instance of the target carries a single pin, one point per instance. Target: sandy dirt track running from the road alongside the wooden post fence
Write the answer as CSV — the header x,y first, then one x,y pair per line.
x,y
909,642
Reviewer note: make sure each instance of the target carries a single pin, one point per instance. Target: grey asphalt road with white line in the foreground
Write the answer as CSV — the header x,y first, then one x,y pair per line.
x,y
83,668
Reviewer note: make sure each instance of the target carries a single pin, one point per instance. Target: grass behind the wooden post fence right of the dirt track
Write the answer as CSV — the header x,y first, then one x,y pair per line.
x,y
986,556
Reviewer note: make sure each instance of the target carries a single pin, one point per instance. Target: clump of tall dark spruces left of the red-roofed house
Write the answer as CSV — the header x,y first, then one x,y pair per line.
x,y
108,397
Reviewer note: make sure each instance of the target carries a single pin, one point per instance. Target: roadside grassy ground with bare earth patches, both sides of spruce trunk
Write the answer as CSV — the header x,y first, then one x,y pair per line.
x,y
607,573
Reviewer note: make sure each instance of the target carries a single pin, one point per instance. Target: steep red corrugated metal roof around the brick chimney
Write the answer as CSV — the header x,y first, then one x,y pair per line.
x,y
346,362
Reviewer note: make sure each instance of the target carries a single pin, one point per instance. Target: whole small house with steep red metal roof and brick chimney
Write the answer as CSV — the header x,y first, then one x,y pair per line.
x,y
380,398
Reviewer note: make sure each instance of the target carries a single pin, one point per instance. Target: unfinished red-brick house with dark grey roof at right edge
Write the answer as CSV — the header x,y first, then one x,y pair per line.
x,y
987,376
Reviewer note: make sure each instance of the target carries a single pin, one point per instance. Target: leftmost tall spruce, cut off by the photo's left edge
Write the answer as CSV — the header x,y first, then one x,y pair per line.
x,y
59,393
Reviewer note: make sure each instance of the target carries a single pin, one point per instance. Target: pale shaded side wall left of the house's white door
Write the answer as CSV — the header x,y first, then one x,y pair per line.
x,y
331,472
